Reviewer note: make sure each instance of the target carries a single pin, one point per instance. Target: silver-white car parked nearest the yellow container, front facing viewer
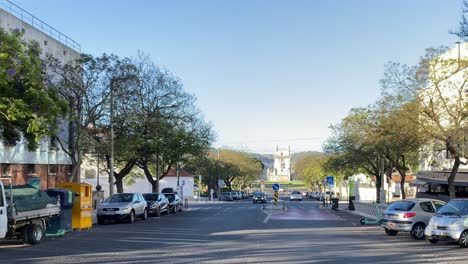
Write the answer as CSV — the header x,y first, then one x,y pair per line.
x,y
122,206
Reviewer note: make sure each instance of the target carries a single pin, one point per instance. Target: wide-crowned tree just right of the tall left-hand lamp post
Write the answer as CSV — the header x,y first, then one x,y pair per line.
x,y
171,128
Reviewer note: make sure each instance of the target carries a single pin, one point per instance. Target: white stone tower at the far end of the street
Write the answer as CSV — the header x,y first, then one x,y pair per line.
x,y
282,166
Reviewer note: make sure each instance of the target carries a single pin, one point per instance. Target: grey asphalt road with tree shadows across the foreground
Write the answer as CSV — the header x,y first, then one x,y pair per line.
x,y
236,232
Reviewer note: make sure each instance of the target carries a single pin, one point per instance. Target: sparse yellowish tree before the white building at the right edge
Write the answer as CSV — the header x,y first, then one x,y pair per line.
x,y
437,85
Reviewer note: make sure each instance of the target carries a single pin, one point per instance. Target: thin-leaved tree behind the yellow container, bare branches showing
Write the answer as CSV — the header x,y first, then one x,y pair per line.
x,y
85,84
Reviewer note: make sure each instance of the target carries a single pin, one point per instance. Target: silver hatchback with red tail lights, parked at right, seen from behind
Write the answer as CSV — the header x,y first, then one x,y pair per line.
x,y
410,215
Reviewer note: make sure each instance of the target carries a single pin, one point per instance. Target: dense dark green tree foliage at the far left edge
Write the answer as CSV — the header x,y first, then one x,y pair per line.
x,y
30,105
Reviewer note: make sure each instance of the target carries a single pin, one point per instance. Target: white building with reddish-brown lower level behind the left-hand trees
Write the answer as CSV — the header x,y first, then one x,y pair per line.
x,y
48,164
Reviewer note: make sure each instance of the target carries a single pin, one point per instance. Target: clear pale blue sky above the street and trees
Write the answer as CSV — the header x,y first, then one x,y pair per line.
x,y
264,72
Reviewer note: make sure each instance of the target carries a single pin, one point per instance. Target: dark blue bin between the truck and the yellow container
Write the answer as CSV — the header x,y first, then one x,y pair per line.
x,y
63,222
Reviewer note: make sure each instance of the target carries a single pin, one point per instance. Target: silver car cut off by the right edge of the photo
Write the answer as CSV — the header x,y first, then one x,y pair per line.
x,y
450,223
